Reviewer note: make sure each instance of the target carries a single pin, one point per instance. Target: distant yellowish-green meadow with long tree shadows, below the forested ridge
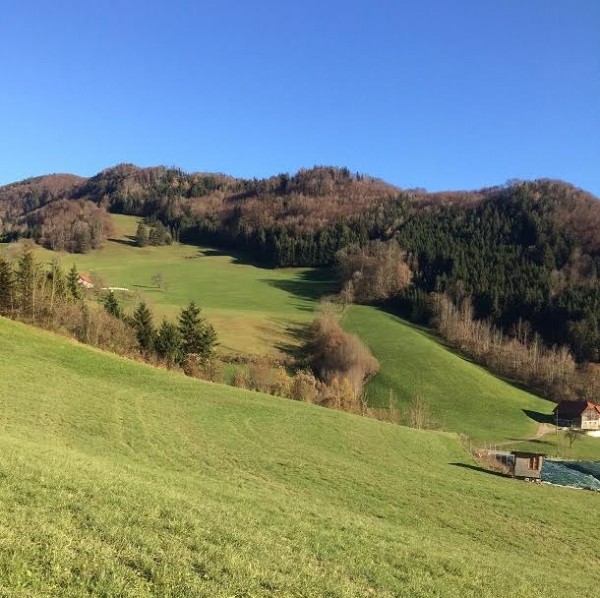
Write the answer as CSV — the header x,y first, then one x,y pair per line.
x,y
253,309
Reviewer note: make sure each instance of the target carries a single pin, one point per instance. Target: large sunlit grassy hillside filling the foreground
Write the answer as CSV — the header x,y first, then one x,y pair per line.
x,y
119,479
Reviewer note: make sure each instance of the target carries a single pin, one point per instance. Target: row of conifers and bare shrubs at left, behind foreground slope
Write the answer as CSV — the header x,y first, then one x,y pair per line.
x,y
49,297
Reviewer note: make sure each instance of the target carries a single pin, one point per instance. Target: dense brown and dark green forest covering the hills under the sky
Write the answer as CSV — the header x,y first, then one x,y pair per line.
x,y
526,253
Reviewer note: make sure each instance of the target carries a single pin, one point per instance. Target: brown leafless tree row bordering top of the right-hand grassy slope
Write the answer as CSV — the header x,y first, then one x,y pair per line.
x,y
519,353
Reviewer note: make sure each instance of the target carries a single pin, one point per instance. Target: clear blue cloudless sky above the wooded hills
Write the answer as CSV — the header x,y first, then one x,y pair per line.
x,y
428,93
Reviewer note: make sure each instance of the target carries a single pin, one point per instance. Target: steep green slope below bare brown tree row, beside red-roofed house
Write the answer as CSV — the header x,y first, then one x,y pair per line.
x,y
463,396
